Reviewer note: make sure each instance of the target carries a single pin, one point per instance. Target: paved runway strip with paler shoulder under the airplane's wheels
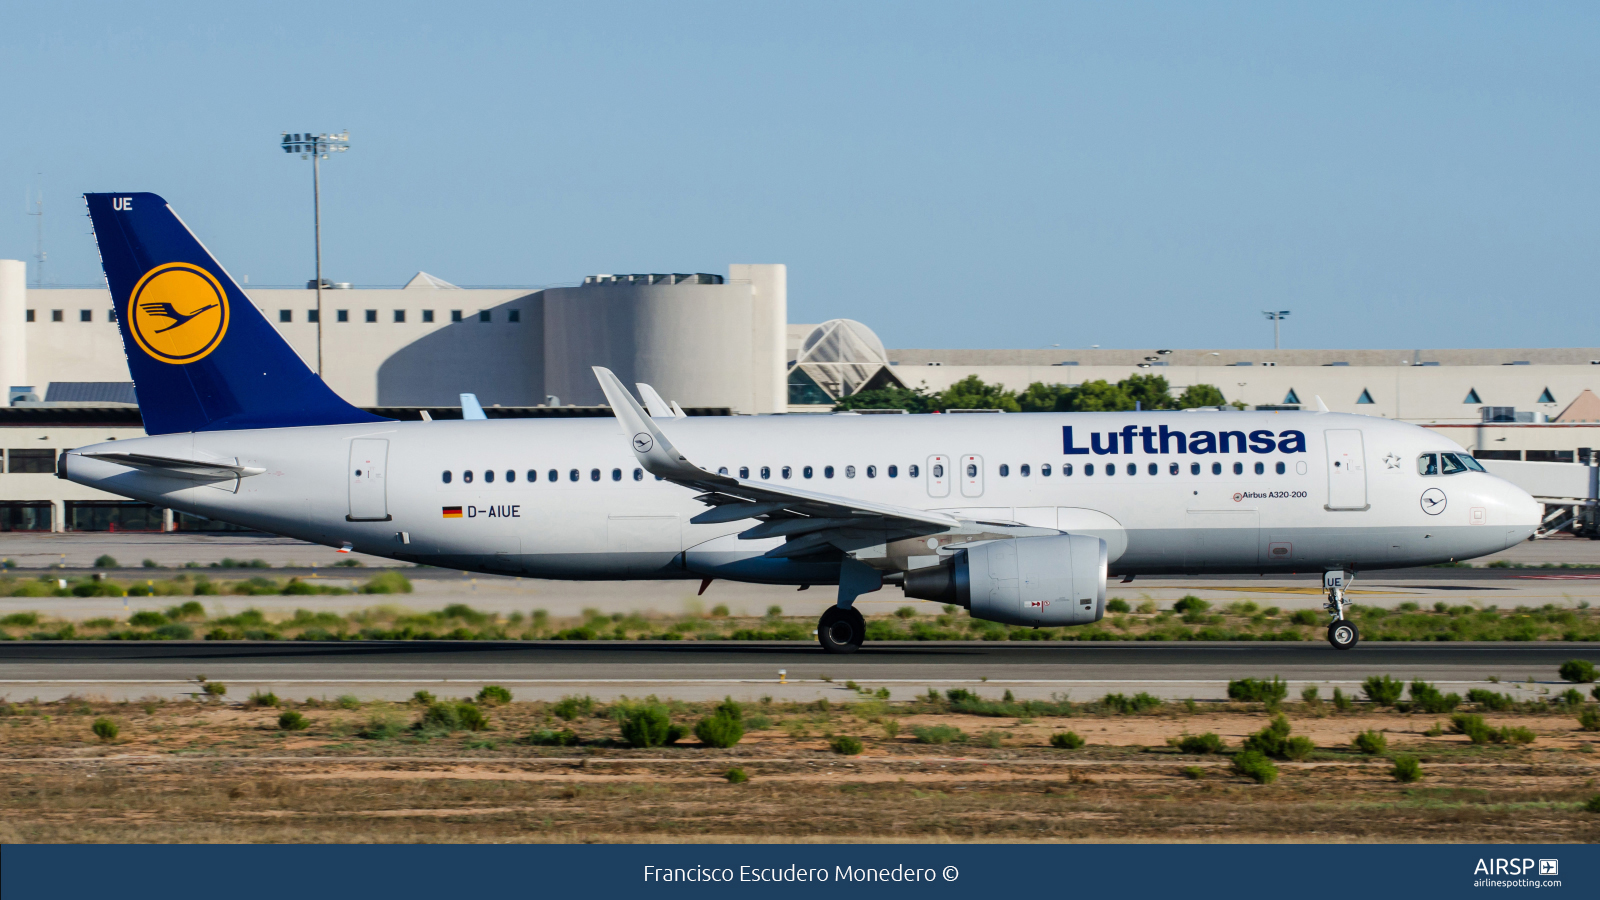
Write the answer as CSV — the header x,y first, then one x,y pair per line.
x,y
745,670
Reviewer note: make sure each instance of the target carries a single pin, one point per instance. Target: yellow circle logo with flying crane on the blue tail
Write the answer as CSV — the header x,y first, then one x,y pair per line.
x,y
178,313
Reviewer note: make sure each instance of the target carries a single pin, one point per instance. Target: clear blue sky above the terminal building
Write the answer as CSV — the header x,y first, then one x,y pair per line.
x,y
1006,175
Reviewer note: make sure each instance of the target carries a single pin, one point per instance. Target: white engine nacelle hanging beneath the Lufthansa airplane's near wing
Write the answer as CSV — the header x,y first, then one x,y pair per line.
x,y
1042,582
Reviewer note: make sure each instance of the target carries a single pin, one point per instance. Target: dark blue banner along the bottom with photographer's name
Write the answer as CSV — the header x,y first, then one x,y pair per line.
x,y
812,870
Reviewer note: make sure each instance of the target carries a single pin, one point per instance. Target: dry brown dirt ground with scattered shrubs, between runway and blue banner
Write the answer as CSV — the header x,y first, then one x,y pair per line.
x,y
194,773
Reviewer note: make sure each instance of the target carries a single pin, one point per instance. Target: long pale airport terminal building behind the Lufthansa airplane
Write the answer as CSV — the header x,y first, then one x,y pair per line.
x,y
713,344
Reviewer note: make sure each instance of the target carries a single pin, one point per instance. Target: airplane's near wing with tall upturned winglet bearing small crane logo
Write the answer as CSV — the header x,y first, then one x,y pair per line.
x,y
810,521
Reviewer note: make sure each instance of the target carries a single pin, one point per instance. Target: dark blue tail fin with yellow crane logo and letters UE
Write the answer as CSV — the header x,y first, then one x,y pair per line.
x,y
202,356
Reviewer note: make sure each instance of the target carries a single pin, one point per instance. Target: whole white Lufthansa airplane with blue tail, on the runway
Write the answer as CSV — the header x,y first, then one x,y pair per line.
x,y
1022,520
